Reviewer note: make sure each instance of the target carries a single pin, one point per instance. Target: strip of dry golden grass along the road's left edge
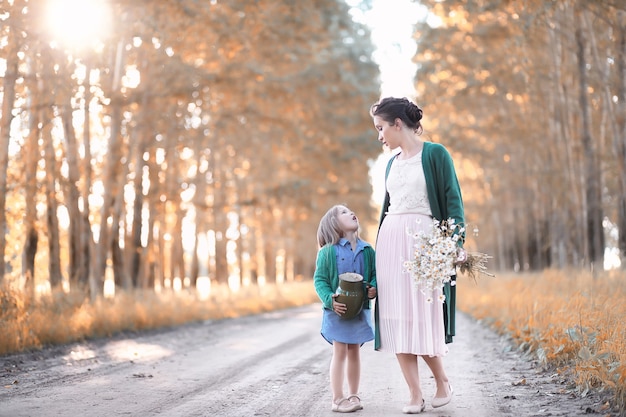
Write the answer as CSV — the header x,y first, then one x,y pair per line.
x,y
26,324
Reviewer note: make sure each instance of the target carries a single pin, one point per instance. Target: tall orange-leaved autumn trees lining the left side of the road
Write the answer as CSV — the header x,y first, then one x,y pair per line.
x,y
232,123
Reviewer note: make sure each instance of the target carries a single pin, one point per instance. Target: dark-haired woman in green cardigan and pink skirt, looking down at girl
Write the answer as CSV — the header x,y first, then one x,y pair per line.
x,y
421,184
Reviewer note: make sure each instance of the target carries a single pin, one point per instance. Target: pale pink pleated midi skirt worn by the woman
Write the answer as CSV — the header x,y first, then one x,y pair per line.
x,y
407,322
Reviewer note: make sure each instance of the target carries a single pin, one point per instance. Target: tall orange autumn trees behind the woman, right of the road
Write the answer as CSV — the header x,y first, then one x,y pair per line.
x,y
524,97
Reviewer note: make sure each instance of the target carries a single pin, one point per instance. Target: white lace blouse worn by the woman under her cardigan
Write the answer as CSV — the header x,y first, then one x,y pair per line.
x,y
406,185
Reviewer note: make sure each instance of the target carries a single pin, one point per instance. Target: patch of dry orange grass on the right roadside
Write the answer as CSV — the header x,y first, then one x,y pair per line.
x,y
570,321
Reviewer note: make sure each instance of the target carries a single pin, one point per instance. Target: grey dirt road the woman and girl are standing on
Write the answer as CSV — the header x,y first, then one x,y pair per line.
x,y
274,364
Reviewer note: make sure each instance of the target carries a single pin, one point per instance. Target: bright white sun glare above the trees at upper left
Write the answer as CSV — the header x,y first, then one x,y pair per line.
x,y
78,23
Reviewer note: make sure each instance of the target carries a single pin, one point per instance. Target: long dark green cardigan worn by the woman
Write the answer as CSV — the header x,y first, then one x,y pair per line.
x,y
444,196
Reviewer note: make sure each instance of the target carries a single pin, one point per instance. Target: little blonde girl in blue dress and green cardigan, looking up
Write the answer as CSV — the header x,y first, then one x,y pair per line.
x,y
342,251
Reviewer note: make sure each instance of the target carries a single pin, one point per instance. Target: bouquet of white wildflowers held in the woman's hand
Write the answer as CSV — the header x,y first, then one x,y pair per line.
x,y
437,255
